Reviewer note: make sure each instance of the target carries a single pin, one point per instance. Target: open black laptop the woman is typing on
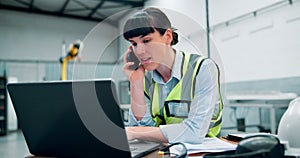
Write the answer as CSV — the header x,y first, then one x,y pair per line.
x,y
74,119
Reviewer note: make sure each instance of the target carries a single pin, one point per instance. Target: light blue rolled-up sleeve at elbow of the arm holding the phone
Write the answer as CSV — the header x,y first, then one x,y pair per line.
x,y
145,121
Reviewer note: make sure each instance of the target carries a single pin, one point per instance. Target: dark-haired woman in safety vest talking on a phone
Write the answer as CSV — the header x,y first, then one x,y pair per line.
x,y
174,95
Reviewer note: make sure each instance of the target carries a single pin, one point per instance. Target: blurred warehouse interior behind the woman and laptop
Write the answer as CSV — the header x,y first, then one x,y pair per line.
x,y
255,44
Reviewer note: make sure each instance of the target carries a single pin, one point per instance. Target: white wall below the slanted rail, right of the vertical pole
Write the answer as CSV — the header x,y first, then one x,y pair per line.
x,y
262,47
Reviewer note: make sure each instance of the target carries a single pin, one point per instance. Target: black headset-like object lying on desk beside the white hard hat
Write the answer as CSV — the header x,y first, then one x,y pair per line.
x,y
258,146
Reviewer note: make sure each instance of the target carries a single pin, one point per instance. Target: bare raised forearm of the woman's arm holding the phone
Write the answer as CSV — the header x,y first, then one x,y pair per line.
x,y
138,104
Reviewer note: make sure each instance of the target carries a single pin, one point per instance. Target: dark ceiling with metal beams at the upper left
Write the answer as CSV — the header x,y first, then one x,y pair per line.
x,y
93,10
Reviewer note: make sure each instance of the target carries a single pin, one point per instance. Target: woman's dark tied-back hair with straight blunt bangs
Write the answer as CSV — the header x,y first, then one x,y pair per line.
x,y
147,21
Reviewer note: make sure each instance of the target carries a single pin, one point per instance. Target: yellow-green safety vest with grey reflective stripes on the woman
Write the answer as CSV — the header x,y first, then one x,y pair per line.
x,y
181,95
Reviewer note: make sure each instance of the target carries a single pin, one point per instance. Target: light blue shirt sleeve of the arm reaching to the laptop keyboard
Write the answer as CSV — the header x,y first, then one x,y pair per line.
x,y
194,128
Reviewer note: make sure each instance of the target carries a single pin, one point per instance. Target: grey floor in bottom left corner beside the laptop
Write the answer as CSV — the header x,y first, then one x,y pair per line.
x,y
13,145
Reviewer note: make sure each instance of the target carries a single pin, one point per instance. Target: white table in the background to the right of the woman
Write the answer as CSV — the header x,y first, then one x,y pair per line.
x,y
270,100
